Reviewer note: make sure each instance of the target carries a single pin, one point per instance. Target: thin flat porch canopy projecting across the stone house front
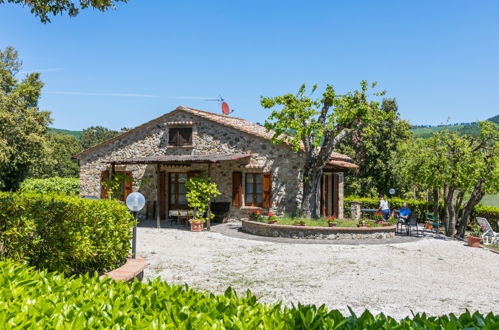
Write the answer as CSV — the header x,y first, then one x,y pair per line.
x,y
180,159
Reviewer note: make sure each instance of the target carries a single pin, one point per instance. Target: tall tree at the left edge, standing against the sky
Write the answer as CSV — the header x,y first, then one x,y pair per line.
x,y
22,124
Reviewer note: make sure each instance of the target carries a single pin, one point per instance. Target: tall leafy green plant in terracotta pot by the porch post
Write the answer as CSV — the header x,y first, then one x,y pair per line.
x,y
200,192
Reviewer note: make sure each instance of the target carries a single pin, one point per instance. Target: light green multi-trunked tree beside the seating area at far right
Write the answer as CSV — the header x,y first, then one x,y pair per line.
x,y
455,166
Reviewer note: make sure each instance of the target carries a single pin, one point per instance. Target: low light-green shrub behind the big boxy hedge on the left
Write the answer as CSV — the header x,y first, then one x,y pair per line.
x,y
66,186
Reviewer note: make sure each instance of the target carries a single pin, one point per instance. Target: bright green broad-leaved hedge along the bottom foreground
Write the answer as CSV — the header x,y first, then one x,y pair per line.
x,y
42,300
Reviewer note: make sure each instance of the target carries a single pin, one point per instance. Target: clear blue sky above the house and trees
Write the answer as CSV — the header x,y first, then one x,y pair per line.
x,y
438,58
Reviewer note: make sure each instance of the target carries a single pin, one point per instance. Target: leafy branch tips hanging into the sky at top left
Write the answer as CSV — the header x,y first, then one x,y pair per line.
x,y
44,8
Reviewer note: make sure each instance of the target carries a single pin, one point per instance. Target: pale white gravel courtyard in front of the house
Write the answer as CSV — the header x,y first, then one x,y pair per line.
x,y
430,275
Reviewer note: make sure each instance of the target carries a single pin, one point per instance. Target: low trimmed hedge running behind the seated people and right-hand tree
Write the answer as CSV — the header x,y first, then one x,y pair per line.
x,y
422,207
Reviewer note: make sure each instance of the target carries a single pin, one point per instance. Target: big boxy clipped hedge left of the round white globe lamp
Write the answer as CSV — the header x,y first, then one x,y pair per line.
x,y
66,234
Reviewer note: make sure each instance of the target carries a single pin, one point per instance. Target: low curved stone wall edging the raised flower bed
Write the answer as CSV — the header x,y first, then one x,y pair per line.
x,y
331,233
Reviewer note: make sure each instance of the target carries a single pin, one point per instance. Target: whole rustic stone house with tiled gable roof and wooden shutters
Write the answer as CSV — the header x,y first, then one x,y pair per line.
x,y
251,172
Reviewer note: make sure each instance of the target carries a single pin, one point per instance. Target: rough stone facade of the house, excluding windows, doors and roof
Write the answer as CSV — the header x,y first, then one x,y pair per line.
x,y
208,137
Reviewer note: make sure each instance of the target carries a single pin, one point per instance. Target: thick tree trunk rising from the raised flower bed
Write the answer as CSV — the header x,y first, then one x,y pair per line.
x,y
311,182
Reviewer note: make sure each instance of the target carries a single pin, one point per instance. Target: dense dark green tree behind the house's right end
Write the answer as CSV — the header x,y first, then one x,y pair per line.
x,y
374,149
